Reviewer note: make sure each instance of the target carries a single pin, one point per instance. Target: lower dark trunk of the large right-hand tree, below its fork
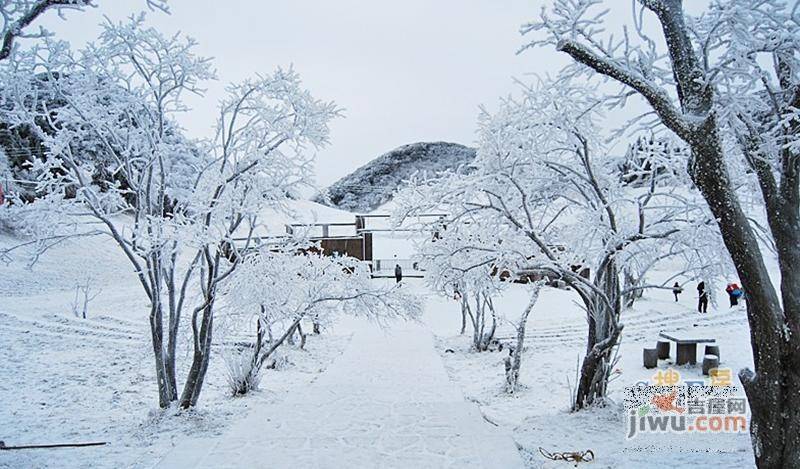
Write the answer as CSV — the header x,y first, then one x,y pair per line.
x,y
769,387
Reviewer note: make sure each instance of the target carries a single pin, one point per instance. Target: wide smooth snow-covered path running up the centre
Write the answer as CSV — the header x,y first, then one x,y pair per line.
x,y
386,402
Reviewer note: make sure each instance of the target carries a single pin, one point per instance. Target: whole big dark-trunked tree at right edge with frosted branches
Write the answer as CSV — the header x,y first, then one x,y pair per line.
x,y
727,82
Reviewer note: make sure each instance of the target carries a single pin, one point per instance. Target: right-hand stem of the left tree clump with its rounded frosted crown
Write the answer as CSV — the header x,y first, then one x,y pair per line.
x,y
265,126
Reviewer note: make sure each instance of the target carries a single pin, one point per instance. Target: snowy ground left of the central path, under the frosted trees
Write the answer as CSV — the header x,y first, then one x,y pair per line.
x,y
67,379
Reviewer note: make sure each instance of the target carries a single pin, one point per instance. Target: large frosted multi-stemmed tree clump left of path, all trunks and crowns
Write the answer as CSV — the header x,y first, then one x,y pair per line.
x,y
175,208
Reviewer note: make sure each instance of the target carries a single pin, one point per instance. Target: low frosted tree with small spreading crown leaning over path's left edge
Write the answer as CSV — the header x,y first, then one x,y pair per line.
x,y
274,291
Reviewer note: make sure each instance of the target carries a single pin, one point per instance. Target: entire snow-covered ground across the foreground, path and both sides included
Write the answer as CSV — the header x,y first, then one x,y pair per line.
x,y
67,379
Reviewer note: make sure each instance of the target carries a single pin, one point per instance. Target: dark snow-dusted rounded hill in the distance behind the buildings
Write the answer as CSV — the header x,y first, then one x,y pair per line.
x,y
373,184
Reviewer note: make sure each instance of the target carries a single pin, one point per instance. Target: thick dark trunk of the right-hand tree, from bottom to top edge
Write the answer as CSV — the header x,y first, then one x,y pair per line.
x,y
773,389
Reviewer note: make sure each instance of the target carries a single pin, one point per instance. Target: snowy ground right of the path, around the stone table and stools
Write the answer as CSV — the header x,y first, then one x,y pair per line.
x,y
538,413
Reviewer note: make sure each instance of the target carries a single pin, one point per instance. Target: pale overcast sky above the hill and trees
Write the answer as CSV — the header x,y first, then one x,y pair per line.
x,y
404,71
